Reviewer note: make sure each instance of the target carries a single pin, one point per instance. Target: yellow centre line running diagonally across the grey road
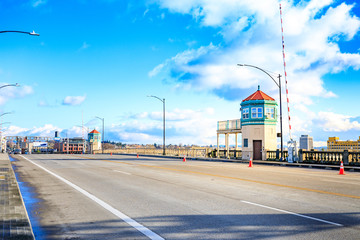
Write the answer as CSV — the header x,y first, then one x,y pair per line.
x,y
242,179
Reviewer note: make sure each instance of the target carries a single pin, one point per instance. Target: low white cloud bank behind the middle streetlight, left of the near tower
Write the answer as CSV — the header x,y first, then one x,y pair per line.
x,y
182,126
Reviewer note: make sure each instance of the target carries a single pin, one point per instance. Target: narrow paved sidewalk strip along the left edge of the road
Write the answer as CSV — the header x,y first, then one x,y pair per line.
x,y
14,221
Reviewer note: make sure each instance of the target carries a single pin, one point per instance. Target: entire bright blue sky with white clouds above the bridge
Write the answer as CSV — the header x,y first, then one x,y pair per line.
x,y
103,57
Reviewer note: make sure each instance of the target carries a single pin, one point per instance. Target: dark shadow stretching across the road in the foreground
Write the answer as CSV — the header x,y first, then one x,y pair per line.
x,y
247,226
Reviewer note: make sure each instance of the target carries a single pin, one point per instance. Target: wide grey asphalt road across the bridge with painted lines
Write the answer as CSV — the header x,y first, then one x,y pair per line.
x,y
124,197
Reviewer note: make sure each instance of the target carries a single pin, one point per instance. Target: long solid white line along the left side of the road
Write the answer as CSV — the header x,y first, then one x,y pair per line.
x,y
147,232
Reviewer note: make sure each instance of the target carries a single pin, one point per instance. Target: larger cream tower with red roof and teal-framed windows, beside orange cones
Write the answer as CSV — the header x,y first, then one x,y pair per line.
x,y
258,125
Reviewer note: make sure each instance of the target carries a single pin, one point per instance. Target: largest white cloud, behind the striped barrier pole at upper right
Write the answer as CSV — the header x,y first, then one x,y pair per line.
x,y
252,34
